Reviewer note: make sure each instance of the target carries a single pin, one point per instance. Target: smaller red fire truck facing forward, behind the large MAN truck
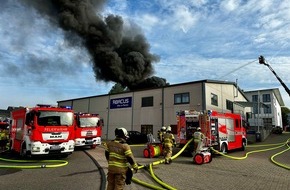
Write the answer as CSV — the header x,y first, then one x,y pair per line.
x,y
88,129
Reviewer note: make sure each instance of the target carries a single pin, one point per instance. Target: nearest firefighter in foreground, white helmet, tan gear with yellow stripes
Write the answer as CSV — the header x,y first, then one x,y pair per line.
x,y
118,153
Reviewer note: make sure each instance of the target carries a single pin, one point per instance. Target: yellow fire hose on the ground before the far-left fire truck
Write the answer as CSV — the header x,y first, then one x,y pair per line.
x,y
45,163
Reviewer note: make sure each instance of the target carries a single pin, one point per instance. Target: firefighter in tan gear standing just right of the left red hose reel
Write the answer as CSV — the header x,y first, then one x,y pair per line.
x,y
168,143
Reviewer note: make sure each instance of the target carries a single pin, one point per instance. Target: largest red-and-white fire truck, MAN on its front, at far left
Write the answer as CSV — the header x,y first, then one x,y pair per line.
x,y
42,130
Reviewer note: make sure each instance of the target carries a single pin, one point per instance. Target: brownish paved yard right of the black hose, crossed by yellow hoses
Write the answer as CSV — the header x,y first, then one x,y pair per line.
x,y
249,169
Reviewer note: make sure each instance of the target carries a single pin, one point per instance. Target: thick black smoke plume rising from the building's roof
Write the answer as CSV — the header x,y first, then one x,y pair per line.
x,y
118,56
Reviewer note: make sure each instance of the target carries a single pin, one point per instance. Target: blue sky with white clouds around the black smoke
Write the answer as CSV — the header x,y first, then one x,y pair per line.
x,y
41,63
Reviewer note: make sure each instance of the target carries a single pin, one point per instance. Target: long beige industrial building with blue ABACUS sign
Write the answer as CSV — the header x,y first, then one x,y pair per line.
x,y
149,109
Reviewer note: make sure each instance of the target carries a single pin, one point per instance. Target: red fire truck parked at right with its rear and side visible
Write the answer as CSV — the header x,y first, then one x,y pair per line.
x,y
223,131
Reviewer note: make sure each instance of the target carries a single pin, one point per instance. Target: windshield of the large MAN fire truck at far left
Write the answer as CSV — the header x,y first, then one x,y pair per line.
x,y
54,118
